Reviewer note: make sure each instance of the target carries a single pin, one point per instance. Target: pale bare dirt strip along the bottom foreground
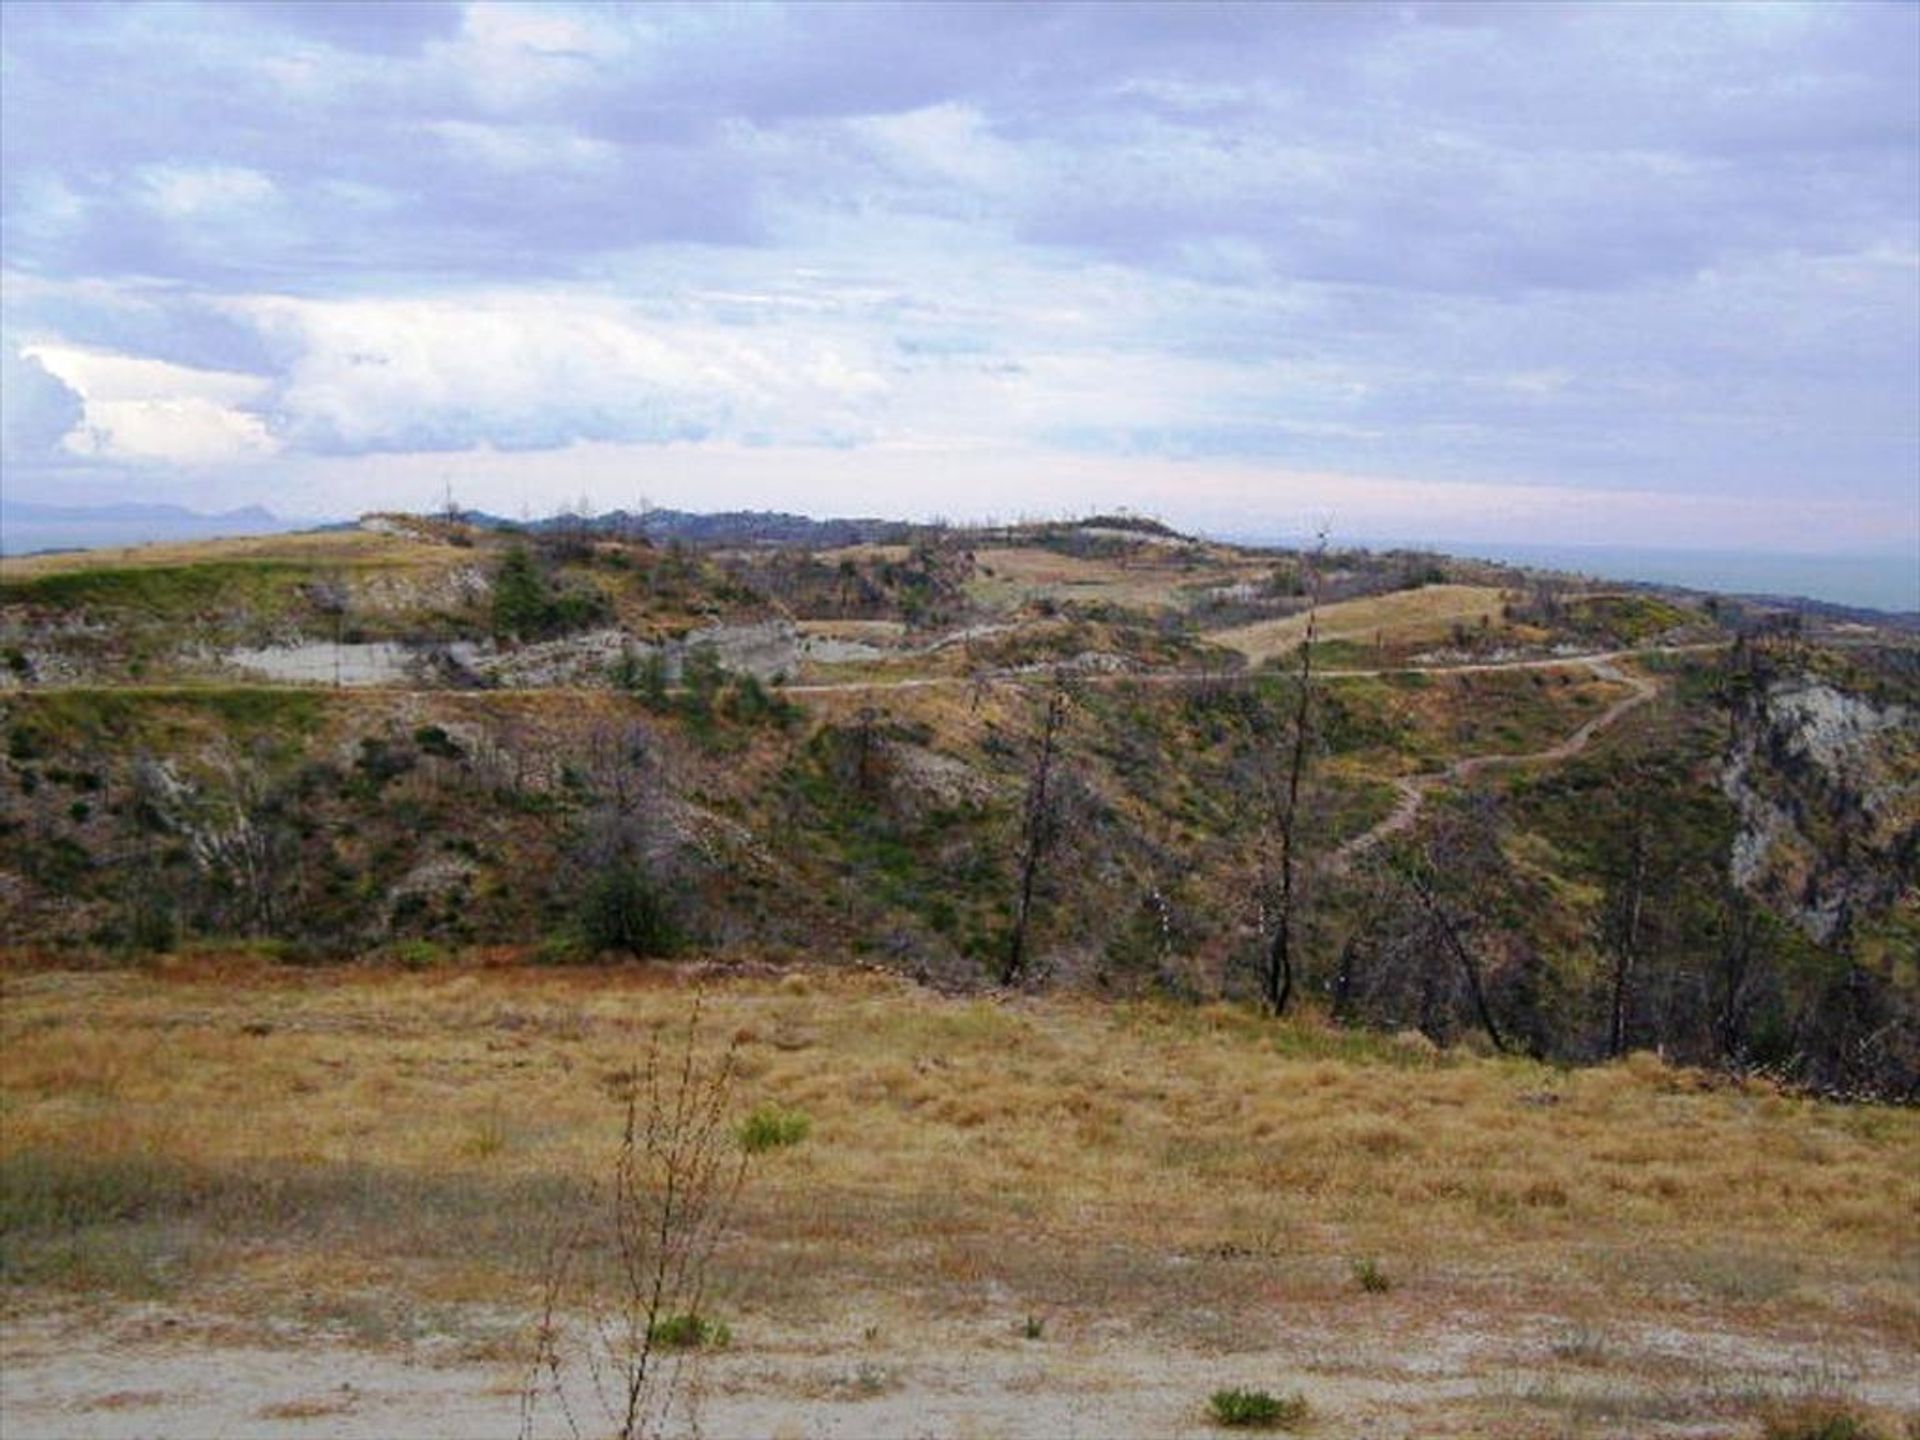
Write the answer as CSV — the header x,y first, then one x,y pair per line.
x,y
145,1372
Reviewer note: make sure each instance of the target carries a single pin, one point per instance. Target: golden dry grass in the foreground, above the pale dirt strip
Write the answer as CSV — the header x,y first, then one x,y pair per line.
x,y
1184,1174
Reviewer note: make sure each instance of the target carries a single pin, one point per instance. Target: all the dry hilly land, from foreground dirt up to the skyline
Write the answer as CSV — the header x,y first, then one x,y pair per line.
x,y
364,892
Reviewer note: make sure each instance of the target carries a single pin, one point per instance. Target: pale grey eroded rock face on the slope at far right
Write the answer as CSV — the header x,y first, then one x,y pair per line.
x,y
1829,794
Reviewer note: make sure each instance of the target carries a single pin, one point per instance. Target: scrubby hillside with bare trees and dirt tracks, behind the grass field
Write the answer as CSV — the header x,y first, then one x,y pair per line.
x,y
1570,821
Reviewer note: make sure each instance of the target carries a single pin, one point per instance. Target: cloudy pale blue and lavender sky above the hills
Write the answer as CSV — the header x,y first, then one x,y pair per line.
x,y
1470,272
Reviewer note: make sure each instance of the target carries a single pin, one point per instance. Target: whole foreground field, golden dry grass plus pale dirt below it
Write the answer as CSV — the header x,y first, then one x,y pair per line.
x,y
274,1201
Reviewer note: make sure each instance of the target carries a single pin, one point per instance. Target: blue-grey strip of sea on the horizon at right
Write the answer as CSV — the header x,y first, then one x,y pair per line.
x,y
1877,583
